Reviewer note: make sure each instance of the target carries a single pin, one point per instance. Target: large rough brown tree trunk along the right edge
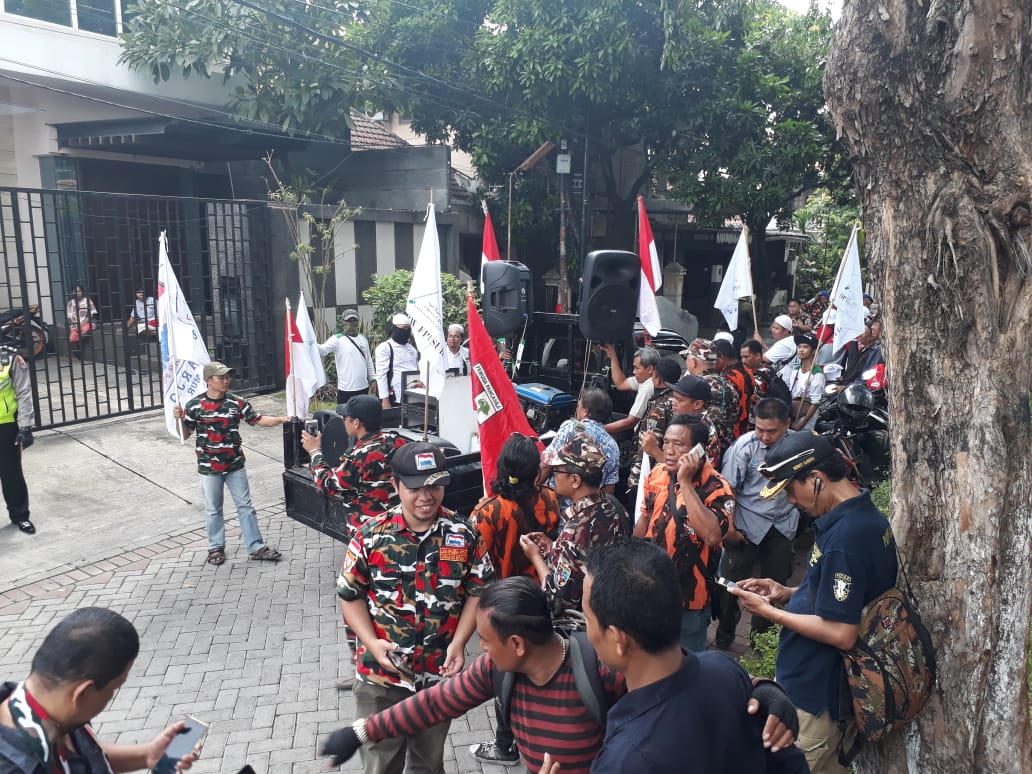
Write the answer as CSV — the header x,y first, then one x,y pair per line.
x,y
931,99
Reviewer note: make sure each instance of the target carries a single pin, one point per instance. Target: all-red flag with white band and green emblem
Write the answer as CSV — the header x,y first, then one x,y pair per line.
x,y
495,399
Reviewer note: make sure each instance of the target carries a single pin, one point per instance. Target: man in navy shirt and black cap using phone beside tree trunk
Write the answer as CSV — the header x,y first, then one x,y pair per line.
x,y
853,561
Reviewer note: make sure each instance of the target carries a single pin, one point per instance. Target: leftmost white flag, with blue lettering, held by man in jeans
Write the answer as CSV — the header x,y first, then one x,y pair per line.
x,y
183,350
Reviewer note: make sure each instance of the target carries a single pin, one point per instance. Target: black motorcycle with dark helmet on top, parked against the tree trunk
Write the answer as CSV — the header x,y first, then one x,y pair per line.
x,y
856,421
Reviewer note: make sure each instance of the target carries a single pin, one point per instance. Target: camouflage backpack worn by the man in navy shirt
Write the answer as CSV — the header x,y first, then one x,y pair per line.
x,y
891,670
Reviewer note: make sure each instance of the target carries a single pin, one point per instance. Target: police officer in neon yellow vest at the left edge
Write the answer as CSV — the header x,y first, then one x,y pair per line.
x,y
16,435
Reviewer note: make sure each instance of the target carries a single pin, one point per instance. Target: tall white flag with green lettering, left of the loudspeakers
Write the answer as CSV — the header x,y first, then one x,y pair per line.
x,y
425,308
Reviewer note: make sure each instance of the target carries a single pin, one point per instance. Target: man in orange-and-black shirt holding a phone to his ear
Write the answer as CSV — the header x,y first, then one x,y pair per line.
x,y
687,510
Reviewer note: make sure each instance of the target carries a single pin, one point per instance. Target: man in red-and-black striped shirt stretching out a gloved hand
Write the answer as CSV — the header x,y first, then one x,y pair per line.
x,y
547,713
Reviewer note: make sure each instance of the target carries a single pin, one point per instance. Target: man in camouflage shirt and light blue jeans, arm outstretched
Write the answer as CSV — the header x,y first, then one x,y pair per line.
x,y
216,416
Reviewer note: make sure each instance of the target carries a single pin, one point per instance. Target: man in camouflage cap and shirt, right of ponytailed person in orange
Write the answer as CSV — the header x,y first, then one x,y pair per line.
x,y
593,519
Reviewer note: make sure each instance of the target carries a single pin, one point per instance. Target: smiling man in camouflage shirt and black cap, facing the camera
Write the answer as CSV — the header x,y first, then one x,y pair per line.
x,y
409,589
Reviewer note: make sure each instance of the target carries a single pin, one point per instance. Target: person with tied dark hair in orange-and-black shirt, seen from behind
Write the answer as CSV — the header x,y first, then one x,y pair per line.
x,y
520,507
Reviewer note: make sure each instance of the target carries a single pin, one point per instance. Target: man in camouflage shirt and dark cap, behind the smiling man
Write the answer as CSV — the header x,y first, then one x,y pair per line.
x,y
363,479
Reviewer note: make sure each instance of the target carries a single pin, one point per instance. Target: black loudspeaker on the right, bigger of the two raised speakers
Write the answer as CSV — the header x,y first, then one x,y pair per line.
x,y
609,296
